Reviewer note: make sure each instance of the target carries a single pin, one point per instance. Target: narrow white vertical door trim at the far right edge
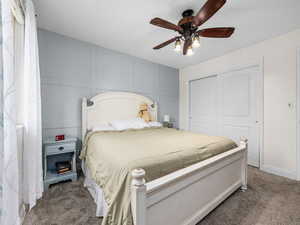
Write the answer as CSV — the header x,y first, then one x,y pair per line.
x,y
298,114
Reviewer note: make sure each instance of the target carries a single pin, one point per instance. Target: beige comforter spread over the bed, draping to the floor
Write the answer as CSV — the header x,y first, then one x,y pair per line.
x,y
112,155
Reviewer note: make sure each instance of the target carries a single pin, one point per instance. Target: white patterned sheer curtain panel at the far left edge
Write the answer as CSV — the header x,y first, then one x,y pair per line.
x,y
10,174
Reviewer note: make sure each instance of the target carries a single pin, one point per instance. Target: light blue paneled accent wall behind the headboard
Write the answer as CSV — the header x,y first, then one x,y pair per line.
x,y
72,69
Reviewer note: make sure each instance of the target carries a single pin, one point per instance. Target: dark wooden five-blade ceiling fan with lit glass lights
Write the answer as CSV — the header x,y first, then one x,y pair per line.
x,y
188,27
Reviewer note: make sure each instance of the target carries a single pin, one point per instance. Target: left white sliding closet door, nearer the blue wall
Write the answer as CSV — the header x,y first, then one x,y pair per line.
x,y
203,105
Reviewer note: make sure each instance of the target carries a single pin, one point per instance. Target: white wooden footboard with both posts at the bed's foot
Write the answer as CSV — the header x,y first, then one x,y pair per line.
x,y
187,195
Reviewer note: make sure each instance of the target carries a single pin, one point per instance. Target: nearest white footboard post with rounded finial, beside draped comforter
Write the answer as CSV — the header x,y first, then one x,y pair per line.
x,y
138,196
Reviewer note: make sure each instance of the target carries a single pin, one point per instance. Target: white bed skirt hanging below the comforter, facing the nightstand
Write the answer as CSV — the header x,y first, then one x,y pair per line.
x,y
95,191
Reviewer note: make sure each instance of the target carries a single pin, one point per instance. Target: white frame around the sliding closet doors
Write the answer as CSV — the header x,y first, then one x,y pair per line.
x,y
260,99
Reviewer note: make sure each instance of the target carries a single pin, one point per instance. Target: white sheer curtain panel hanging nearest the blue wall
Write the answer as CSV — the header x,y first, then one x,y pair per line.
x,y
33,172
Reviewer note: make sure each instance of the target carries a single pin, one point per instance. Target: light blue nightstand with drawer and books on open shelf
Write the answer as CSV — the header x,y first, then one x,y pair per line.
x,y
59,161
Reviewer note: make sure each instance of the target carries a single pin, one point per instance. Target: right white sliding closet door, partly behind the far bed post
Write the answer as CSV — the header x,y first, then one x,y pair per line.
x,y
238,105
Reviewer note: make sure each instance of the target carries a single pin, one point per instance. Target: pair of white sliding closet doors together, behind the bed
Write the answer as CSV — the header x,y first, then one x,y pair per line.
x,y
227,105
